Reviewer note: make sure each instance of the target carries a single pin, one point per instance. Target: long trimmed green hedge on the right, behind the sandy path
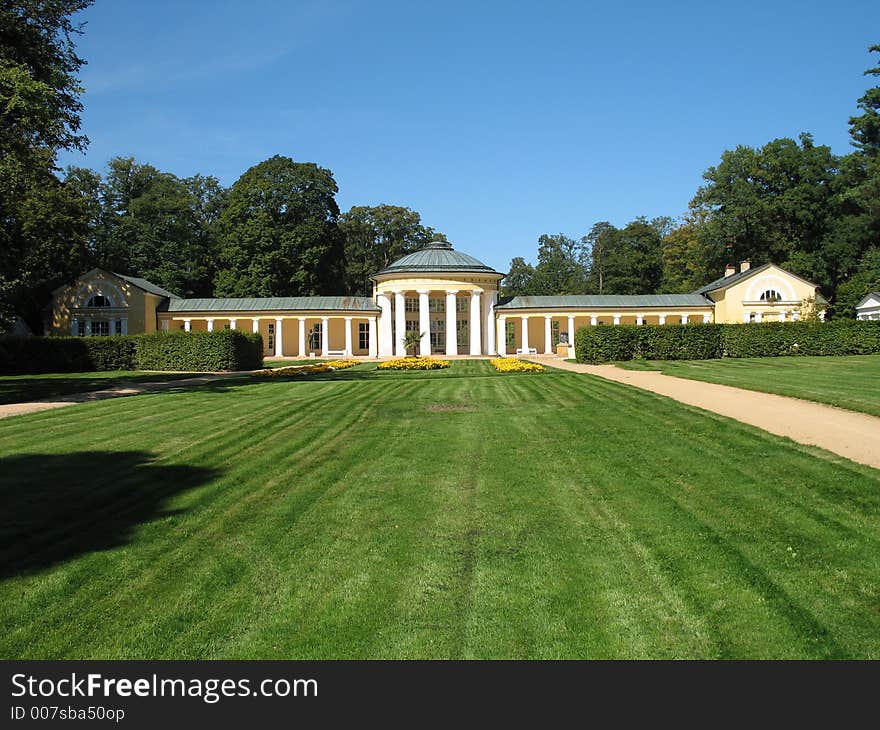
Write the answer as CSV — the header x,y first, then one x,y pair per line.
x,y
711,341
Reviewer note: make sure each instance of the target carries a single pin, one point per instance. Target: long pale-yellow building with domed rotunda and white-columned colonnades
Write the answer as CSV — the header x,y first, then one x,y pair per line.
x,y
449,297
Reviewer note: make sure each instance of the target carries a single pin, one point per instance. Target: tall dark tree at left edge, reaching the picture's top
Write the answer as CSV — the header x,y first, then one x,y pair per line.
x,y
43,224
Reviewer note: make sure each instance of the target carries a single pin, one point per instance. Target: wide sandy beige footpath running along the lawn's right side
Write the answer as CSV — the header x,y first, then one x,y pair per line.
x,y
847,433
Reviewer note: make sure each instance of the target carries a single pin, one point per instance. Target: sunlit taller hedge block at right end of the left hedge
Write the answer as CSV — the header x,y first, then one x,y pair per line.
x,y
200,351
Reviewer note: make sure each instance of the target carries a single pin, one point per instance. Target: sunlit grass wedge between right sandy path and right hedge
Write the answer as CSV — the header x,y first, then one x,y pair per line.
x,y
847,382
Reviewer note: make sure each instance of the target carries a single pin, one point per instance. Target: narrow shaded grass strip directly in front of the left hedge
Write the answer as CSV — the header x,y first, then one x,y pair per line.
x,y
22,388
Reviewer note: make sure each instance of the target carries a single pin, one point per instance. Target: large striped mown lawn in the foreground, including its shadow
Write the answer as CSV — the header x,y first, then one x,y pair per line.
x,y
459,513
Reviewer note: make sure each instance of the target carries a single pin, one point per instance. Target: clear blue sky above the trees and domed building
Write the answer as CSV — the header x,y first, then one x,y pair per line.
x,y
497,121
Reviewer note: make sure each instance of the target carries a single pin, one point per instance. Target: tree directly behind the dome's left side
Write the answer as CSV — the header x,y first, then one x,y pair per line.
x,y
374,236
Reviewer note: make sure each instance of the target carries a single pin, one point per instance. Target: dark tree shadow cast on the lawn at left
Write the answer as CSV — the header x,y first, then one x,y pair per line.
x,y
54,507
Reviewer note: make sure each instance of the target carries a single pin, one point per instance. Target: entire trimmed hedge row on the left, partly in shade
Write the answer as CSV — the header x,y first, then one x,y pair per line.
x,y
196,351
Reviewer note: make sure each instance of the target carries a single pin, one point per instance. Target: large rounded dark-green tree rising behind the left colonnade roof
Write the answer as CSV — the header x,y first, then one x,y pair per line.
x,y
278,233
